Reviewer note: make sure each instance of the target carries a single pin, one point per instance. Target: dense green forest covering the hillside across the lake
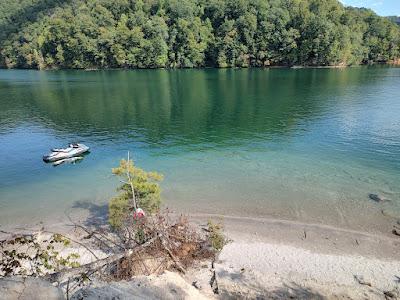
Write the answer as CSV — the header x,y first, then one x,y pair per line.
x,y
45,34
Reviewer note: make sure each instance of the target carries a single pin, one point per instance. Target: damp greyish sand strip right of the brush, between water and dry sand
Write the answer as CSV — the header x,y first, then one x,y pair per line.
x,y
318,238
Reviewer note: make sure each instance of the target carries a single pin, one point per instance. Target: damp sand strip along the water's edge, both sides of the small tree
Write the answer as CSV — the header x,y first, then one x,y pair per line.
x,y
316,237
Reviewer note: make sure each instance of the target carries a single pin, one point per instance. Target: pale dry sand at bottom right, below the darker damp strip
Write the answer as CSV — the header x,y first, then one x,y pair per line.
x,y
261,269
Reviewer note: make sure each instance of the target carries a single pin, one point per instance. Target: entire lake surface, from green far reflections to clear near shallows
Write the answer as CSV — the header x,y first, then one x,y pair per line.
x,y
298,144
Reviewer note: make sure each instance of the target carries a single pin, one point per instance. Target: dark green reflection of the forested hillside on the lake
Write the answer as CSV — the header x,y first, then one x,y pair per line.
x,y
176,106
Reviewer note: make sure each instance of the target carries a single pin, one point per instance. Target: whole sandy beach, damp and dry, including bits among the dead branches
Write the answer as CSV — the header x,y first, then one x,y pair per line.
x,y
282,258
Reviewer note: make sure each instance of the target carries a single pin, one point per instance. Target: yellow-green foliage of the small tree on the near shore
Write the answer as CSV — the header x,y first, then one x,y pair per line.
x,y
147,192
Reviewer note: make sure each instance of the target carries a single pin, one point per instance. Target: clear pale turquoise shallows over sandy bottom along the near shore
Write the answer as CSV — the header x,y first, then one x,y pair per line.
x,y
277,184
